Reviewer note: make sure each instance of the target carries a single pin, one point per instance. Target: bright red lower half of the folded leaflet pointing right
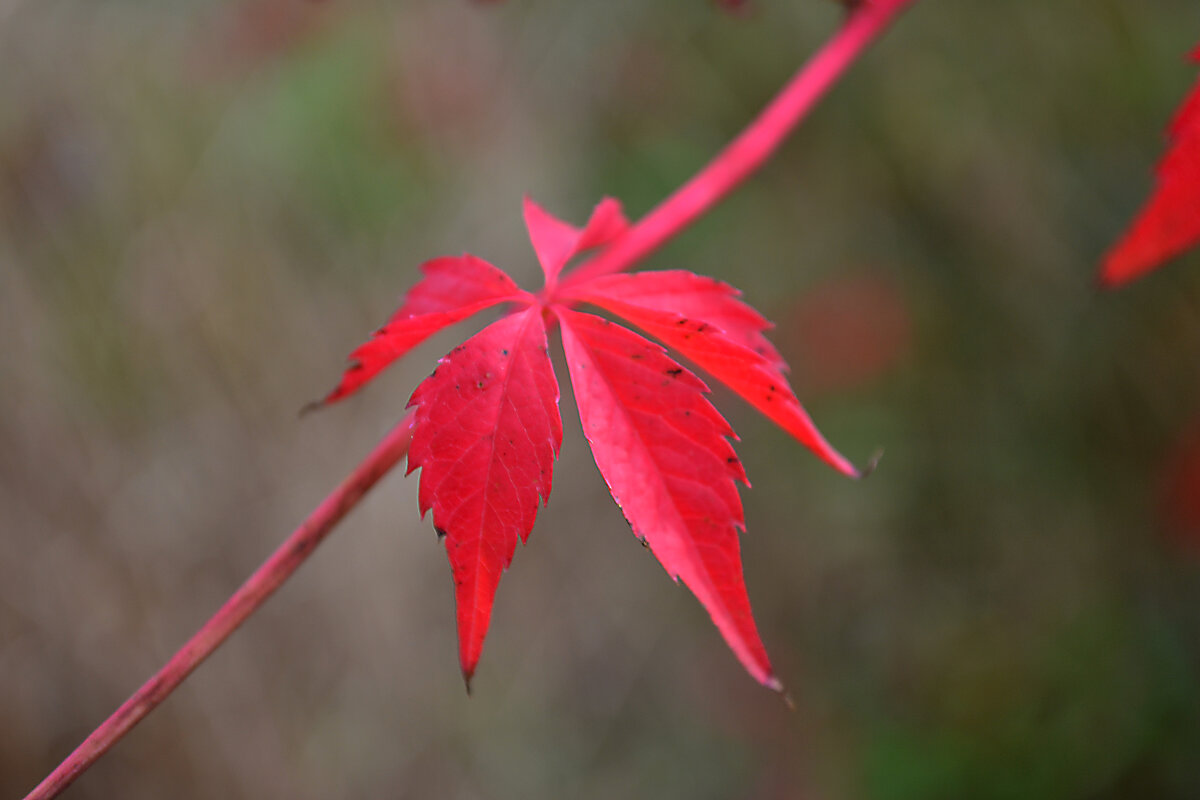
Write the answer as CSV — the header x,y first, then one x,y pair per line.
x,y
748,374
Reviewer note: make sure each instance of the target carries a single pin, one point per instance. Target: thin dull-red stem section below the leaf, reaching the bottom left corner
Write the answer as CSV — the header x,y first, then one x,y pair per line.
x,y
244,603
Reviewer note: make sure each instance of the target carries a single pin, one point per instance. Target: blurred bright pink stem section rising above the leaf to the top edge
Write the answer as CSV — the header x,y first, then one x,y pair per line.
x,y
753,147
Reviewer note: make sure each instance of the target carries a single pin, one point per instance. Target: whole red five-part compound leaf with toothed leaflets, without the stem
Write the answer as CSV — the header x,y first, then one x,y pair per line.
x,y
488,428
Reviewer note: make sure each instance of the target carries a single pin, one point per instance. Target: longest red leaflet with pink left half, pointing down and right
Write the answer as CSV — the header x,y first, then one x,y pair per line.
x,y
663,450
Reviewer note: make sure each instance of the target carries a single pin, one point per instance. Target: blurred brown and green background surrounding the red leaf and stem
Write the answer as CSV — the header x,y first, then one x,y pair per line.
x,y
206,206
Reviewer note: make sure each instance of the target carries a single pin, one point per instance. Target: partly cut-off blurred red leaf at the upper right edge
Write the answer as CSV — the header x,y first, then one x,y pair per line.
x,y
1169,224
